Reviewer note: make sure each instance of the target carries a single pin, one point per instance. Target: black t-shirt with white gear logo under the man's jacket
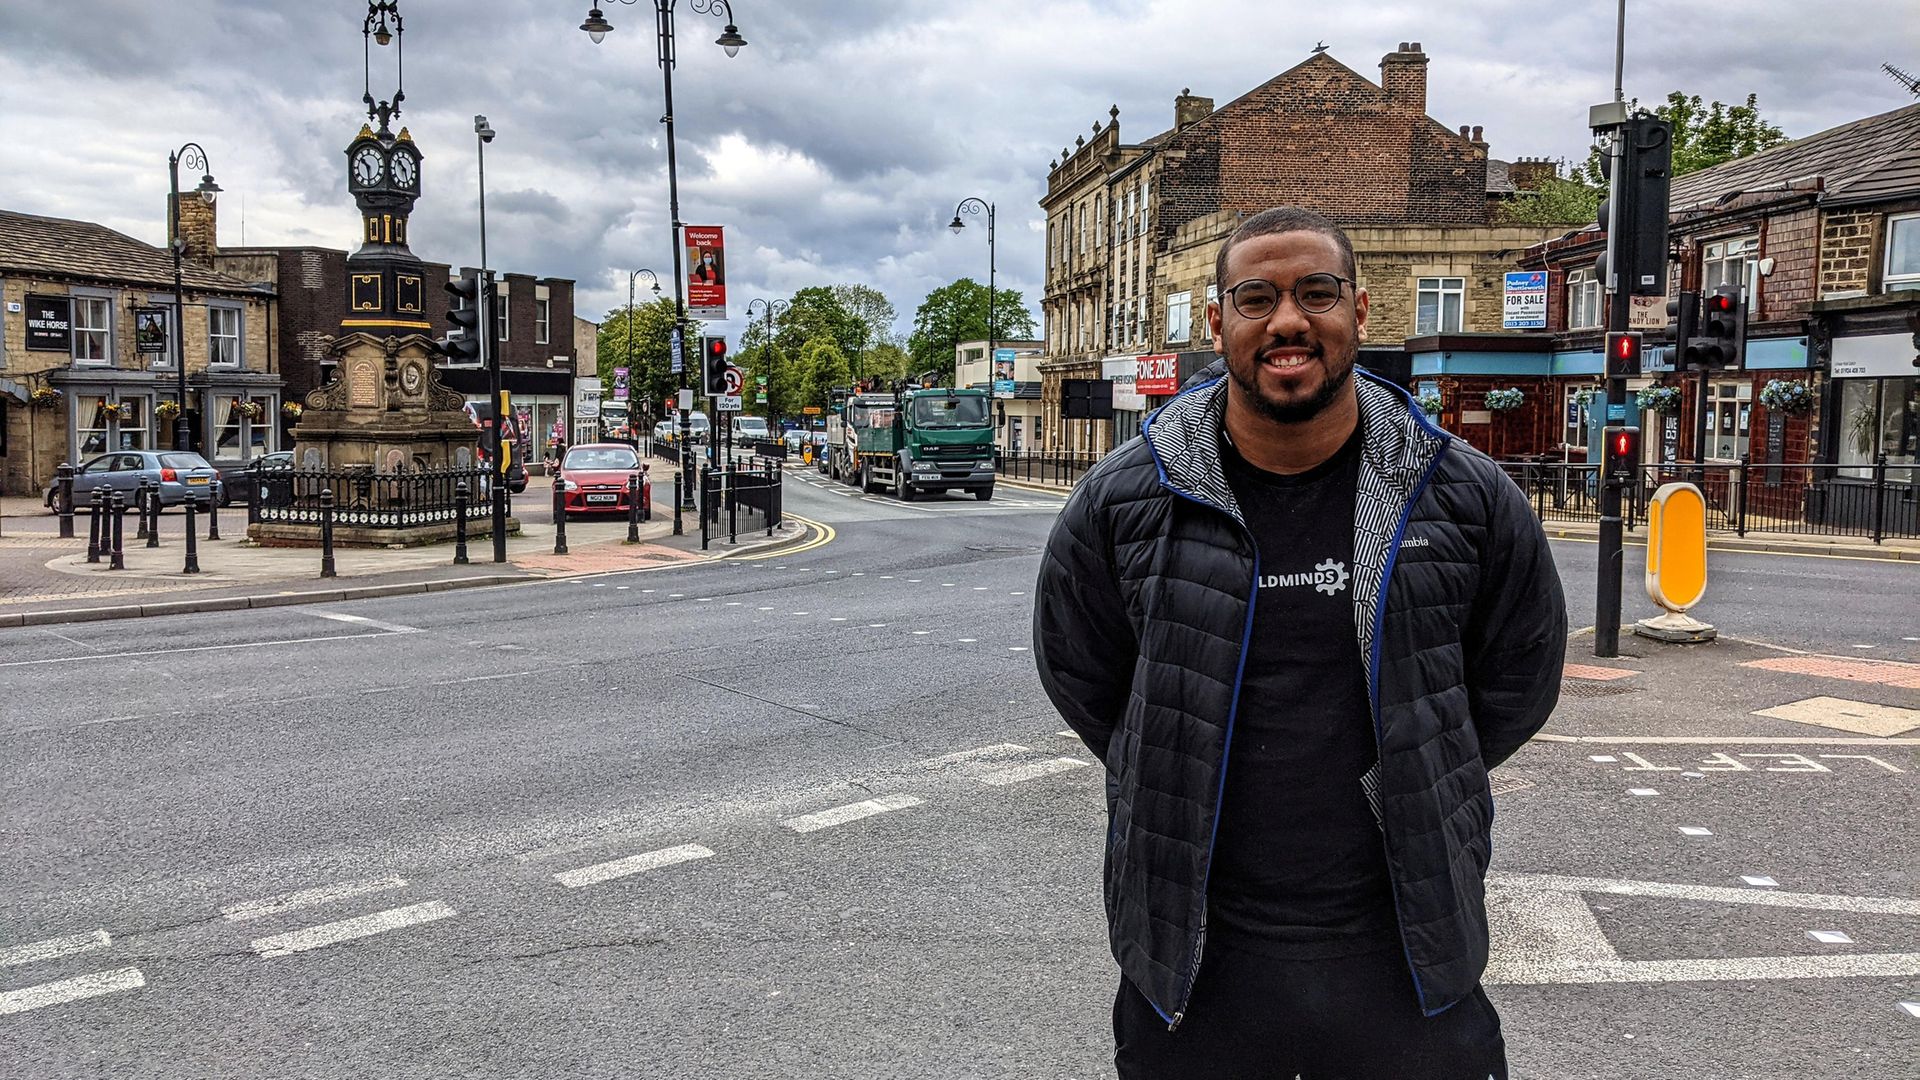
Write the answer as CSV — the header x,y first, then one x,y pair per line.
x,y
1299,864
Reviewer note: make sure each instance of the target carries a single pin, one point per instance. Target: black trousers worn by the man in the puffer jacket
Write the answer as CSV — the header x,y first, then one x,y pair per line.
x,y
1337,1019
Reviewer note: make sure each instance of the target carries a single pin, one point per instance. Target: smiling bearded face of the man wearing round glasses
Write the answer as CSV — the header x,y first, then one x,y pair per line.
x,y
1291,364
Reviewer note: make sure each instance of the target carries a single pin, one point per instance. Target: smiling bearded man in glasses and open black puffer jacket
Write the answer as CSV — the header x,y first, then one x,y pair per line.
x,y
1299,624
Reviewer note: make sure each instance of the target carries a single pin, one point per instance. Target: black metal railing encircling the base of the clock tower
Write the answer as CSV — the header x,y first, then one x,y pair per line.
x,y
364,499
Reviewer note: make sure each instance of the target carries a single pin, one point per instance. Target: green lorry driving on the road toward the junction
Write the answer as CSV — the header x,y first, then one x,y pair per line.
x,y
915,441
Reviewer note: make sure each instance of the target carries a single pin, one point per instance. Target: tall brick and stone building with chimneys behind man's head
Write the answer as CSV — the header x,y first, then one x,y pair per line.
x,y
1134,230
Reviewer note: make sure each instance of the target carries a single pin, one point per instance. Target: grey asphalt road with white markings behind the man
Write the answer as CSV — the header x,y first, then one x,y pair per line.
x,y
811,816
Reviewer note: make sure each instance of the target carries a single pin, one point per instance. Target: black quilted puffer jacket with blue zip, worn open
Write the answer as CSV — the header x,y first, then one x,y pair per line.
x,y
1141,622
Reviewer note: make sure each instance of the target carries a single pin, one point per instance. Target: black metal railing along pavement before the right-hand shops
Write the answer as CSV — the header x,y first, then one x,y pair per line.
x,y
1810,501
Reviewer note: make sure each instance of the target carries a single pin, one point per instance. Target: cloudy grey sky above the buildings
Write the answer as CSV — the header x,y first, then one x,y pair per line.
x,y
836,147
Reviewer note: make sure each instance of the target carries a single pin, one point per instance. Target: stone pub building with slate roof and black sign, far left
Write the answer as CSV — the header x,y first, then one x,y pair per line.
x,y
89,339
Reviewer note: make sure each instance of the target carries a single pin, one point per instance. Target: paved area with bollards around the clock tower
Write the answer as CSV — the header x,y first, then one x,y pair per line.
x,y
45,579
